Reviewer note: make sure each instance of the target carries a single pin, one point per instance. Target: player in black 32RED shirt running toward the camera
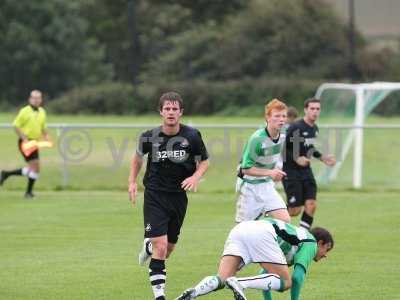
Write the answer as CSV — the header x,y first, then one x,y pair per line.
x,y
177,159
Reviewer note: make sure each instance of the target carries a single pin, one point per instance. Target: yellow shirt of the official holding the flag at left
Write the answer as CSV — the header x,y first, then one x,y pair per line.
x,y
31,122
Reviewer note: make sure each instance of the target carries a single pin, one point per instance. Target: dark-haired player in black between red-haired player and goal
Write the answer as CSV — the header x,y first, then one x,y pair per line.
x,y
299,184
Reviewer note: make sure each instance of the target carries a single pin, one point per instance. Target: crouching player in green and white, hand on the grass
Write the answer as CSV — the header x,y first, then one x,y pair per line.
x,y
274,245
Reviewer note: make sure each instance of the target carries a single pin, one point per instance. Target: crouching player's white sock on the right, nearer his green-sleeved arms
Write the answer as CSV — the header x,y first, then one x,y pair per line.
x,y
264,282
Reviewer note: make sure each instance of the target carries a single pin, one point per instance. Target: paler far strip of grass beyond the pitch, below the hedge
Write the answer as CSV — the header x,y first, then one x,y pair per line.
x,y
107,164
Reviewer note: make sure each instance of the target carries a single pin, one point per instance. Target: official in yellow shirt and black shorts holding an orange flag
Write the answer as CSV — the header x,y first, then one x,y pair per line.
x,y
30,124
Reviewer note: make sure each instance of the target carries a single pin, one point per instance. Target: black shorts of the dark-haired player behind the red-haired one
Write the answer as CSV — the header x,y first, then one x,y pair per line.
x,y
299,190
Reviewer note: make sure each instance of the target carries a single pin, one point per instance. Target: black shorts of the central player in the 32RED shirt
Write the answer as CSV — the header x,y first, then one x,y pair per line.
x,y
163,214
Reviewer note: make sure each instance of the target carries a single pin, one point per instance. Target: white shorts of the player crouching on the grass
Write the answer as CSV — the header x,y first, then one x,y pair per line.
x,y
254,242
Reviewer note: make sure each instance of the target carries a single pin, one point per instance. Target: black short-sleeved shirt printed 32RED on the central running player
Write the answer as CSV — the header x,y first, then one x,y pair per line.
x,y
171,159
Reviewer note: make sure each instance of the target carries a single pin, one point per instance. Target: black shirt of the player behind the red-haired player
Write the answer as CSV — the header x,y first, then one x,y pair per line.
x,y
300,141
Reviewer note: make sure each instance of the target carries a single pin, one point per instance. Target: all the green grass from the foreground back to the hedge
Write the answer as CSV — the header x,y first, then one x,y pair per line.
x,y
80,241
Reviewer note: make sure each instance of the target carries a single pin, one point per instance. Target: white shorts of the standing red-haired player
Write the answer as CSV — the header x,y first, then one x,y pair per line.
x,y
256,199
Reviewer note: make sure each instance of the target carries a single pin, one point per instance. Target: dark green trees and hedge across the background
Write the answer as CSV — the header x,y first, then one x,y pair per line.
x,y
103,56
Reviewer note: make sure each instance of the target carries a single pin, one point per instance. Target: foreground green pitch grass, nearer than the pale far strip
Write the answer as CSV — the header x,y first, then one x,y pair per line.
x,y
83,245
